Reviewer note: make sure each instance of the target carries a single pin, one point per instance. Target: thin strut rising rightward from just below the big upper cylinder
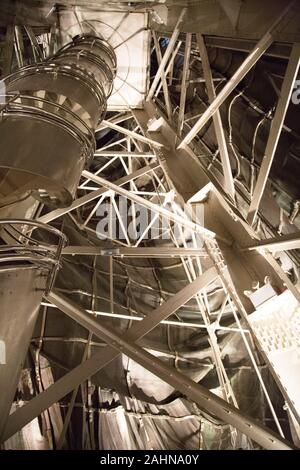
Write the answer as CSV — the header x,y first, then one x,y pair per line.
x,y
95,194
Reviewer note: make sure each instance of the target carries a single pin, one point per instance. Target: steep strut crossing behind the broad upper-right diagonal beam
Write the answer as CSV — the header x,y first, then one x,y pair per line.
x,y
219,130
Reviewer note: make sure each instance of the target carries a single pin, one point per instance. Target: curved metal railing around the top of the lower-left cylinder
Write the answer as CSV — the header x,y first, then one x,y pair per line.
x,y
34,251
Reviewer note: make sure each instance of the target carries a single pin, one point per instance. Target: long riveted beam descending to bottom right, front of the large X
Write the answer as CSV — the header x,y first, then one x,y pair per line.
x,y
196,392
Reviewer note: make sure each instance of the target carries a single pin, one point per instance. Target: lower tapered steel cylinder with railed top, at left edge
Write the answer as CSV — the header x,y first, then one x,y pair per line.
x,y
27,270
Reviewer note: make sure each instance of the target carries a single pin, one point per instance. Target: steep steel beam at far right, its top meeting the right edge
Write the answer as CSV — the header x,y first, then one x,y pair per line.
x,y
276,127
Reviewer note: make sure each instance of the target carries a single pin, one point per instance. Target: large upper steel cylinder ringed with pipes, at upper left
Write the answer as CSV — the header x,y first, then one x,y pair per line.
x,y
48,120
